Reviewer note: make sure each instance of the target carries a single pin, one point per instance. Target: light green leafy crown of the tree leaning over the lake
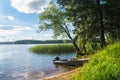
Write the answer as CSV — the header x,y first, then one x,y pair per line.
x,y
53,18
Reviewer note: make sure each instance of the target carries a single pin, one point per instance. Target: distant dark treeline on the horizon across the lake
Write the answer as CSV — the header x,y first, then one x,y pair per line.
x,y
37,42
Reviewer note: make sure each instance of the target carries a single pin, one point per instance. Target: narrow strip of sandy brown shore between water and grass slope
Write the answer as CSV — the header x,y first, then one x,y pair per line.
x,y
61,76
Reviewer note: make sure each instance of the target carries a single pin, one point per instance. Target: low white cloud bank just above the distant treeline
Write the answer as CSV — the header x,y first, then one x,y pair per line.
x,y
17,32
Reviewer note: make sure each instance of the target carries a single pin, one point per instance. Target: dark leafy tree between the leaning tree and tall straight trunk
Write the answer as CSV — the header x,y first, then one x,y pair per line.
x,y
84,14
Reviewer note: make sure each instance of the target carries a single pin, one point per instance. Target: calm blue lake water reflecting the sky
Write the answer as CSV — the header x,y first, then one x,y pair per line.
x,y
18,63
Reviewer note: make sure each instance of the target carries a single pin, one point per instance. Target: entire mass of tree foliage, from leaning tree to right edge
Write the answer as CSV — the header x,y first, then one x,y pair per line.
x,y
92,23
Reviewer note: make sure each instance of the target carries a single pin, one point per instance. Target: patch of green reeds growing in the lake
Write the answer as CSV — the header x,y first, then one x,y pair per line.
x,y
53,48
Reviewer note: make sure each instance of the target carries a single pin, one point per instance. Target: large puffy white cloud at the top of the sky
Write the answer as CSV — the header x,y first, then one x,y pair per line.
x,y
30,6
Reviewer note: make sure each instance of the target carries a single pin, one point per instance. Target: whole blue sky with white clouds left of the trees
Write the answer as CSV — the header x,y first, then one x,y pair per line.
x,y
19,19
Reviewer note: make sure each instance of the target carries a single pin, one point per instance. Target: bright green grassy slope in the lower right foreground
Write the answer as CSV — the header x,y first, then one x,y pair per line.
x,y
105,65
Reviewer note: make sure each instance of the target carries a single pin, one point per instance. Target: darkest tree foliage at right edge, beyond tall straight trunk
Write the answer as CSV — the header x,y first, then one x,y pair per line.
x,y
112,19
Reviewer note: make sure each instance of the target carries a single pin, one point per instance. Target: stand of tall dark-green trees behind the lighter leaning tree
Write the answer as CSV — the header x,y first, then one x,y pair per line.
x,y
96,19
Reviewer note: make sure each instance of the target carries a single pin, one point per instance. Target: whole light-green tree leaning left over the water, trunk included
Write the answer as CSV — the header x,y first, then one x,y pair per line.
x,y
55,18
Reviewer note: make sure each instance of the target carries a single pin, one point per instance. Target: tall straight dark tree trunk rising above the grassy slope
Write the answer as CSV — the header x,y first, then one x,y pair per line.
x,y
102,37
